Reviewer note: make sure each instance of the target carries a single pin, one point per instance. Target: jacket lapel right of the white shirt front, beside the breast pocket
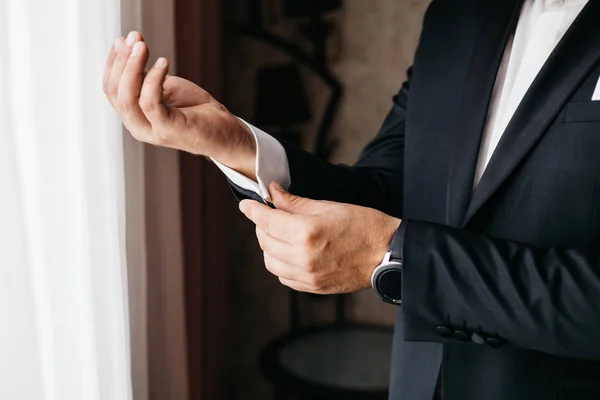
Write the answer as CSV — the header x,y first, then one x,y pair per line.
x,y
570,63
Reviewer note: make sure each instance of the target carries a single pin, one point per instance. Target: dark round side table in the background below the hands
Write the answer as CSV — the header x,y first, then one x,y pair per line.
x,y
350,361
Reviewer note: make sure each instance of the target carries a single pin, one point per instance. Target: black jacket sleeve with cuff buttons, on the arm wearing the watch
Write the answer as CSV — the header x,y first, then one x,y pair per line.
x,y
464,286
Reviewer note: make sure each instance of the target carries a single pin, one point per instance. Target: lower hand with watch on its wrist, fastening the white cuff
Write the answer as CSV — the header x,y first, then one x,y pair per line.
x,y
320,247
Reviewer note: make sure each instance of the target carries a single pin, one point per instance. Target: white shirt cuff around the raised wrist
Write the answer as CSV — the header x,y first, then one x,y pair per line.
x,y
271,165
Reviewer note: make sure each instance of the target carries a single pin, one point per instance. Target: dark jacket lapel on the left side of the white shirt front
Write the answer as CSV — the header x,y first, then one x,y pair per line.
x,y
501,22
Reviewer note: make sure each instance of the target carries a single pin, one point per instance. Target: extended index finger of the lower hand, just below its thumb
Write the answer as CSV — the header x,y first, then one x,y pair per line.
x,y
275,223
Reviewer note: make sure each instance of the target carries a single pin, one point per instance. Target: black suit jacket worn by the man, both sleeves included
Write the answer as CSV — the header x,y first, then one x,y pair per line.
x,y
501,285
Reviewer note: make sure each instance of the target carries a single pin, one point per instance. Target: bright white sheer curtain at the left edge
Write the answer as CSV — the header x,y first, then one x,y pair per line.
x,y
64,323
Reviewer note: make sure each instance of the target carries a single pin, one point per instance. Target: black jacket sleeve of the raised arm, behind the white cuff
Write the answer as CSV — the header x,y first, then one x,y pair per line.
x,y
375,181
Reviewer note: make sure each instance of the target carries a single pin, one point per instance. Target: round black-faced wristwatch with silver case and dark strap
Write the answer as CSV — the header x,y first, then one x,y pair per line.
x,y
387,276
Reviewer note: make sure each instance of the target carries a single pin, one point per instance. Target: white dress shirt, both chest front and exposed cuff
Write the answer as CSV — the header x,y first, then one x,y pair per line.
x,y
542,24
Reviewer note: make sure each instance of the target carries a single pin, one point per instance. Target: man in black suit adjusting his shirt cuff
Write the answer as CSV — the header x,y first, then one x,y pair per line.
x,y
486,175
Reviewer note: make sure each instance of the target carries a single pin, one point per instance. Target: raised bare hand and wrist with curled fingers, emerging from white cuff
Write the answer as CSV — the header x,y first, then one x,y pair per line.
x,y
173,112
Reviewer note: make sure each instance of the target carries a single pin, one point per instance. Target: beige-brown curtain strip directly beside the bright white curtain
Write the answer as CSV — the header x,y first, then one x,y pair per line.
x,y
154,225
